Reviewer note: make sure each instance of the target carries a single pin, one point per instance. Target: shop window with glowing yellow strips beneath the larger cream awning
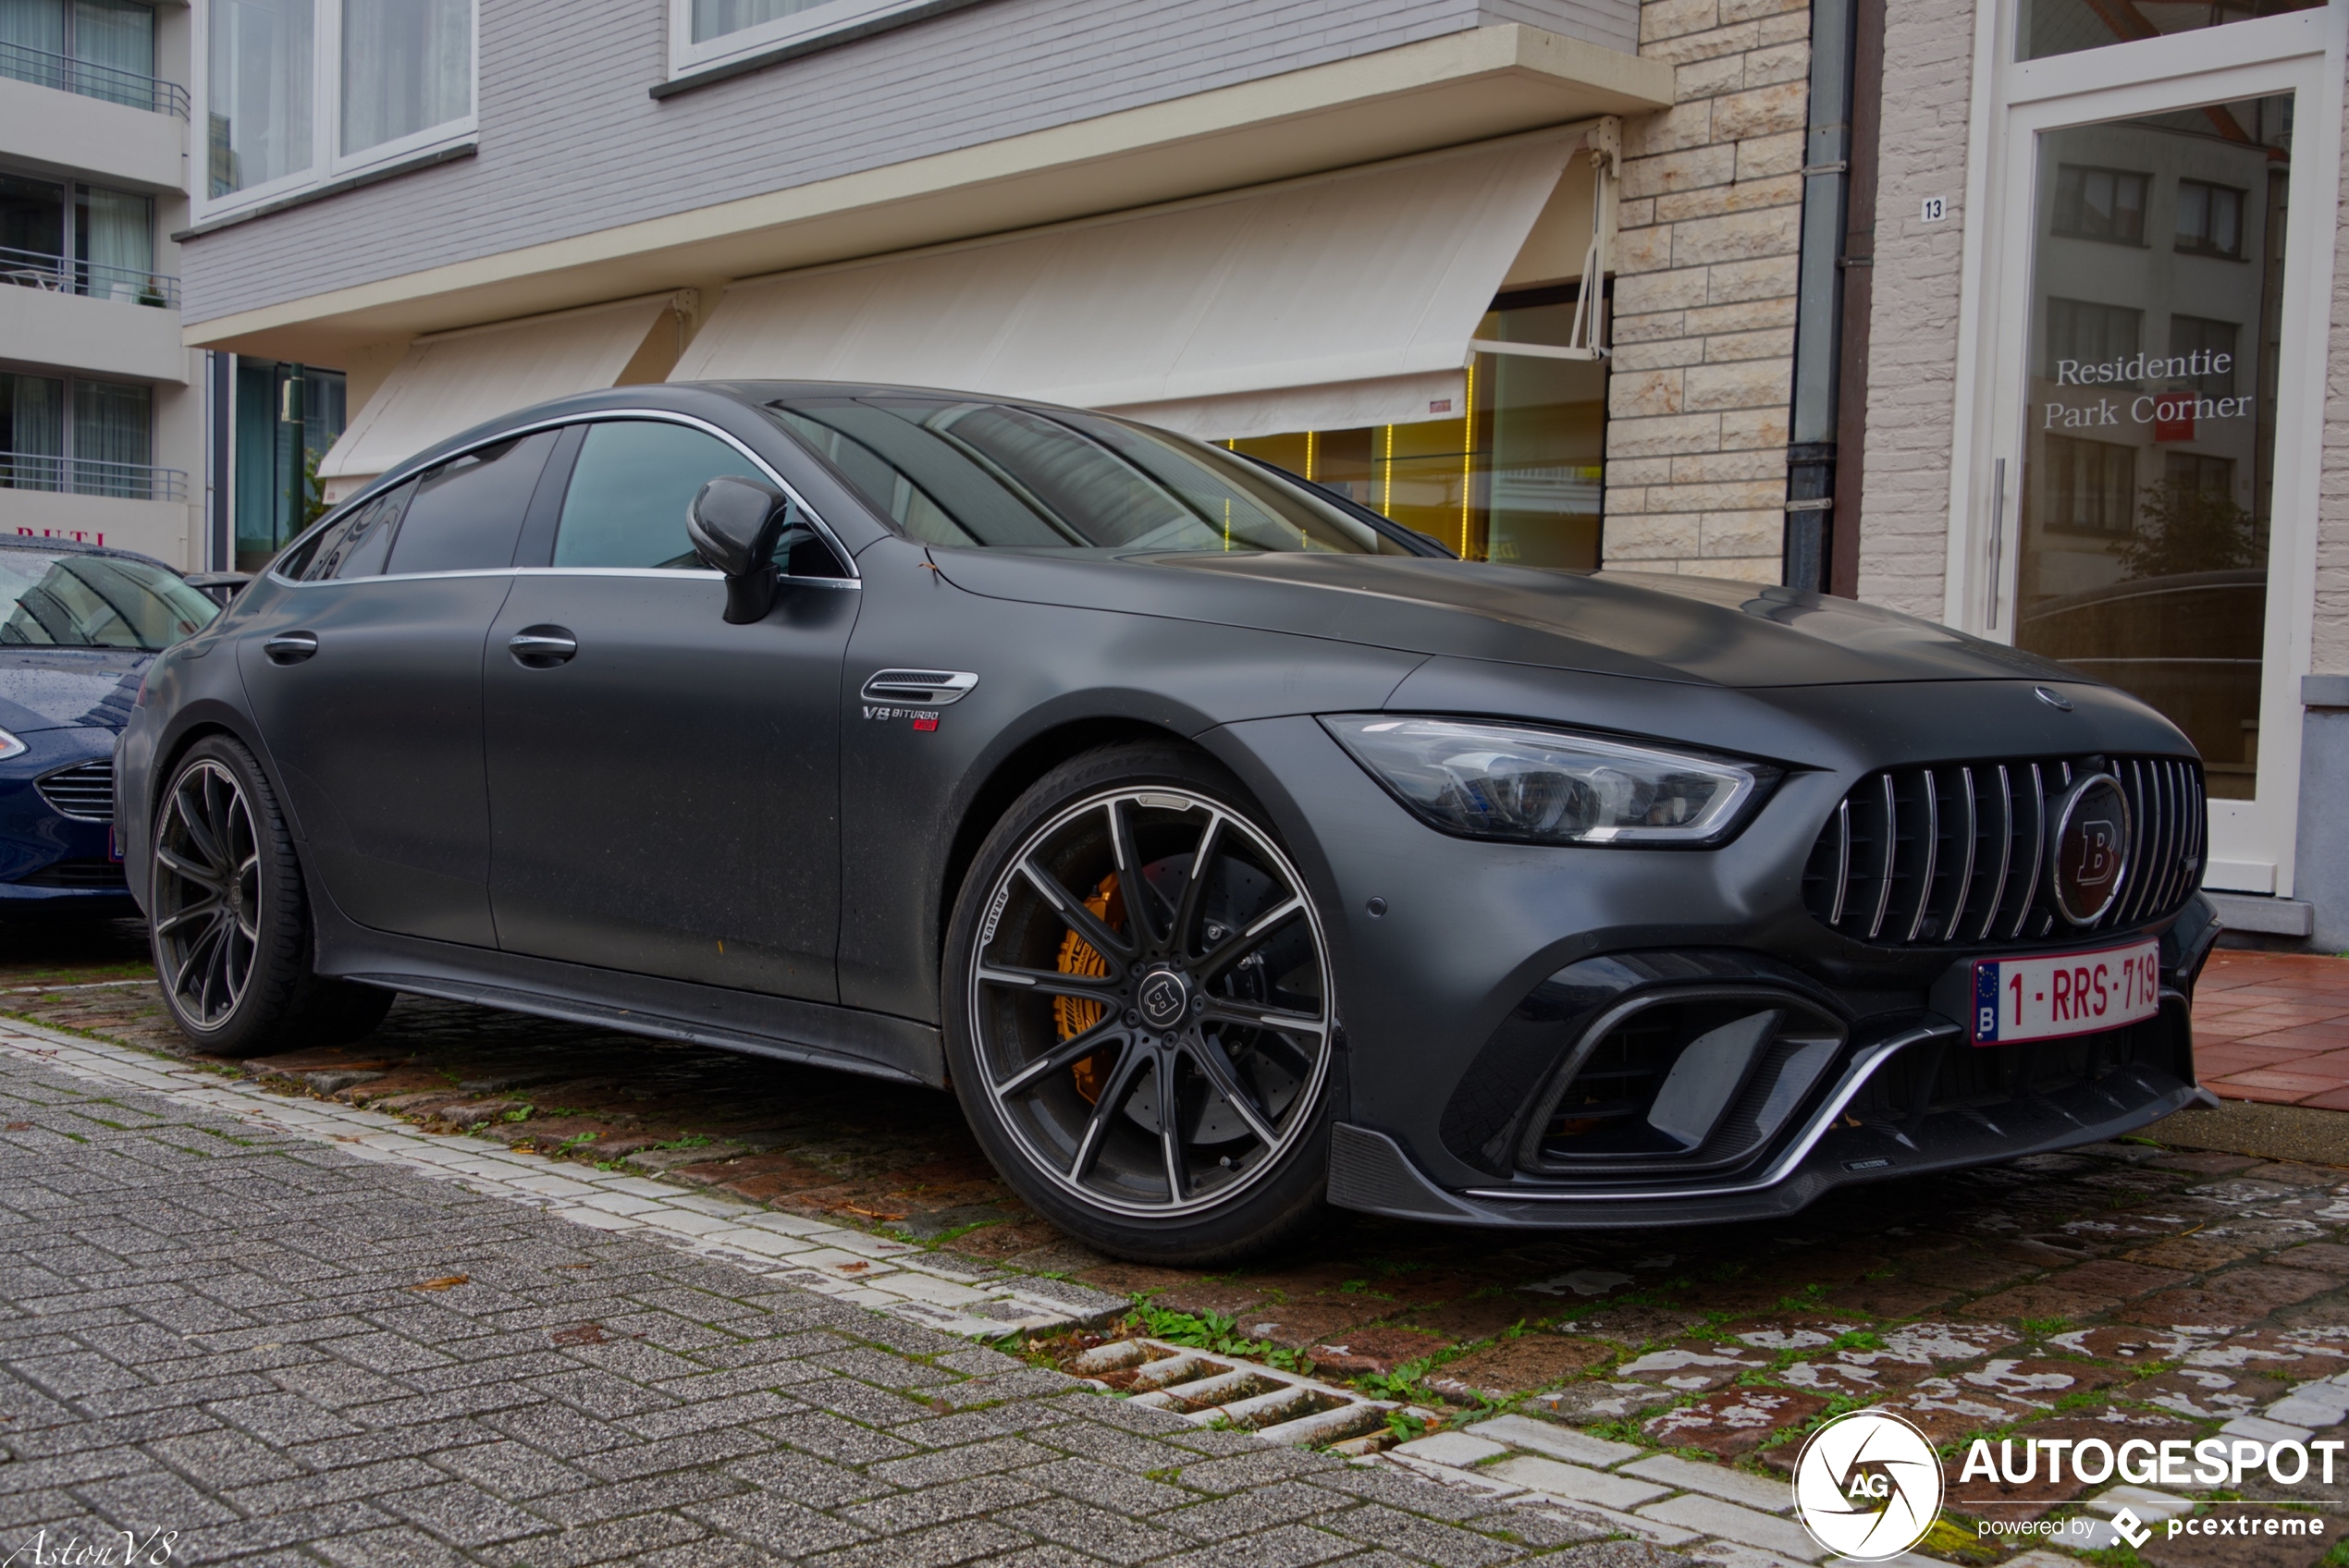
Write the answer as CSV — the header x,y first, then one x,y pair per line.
x,y
1516,478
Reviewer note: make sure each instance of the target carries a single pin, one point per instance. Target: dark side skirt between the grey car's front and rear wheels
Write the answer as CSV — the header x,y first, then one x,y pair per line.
x,y
786,1029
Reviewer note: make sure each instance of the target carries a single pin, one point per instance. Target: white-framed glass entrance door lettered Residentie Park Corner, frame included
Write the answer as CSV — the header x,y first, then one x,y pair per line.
x,y
2141,478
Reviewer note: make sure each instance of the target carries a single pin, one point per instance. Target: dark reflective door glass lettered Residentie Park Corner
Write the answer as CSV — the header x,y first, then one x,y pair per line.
x,y
2153,414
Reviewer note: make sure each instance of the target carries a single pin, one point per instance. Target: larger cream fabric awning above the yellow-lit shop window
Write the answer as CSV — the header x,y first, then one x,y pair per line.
x,y
1317,304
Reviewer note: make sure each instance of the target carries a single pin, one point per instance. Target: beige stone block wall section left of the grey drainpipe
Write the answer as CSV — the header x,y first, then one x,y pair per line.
x,y
1704,313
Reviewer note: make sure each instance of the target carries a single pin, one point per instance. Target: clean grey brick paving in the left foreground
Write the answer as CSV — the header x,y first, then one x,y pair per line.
x,y
255,1349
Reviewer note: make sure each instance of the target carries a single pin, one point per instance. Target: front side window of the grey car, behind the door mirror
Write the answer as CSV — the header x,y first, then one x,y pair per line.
x,y
631,492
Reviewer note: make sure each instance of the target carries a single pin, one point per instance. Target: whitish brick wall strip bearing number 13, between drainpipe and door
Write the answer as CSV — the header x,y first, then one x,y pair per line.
x,y
1913,342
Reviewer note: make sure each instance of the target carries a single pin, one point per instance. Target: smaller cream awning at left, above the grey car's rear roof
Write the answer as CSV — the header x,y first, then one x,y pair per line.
x,y
459,379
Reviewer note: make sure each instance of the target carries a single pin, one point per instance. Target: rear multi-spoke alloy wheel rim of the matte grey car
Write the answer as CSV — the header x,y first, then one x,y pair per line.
x,y
208,893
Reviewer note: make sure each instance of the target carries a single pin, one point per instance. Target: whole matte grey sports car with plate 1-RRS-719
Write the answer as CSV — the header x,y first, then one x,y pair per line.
x,y
1227,849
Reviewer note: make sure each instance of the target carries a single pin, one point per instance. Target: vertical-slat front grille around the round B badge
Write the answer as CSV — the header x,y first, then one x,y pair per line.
x,y
1960,853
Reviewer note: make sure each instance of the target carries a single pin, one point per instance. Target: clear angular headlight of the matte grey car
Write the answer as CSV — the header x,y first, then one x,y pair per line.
x,y
1495,780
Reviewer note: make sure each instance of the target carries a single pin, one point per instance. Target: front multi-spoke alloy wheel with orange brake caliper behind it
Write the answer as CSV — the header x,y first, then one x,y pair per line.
x,y
1150,1003
